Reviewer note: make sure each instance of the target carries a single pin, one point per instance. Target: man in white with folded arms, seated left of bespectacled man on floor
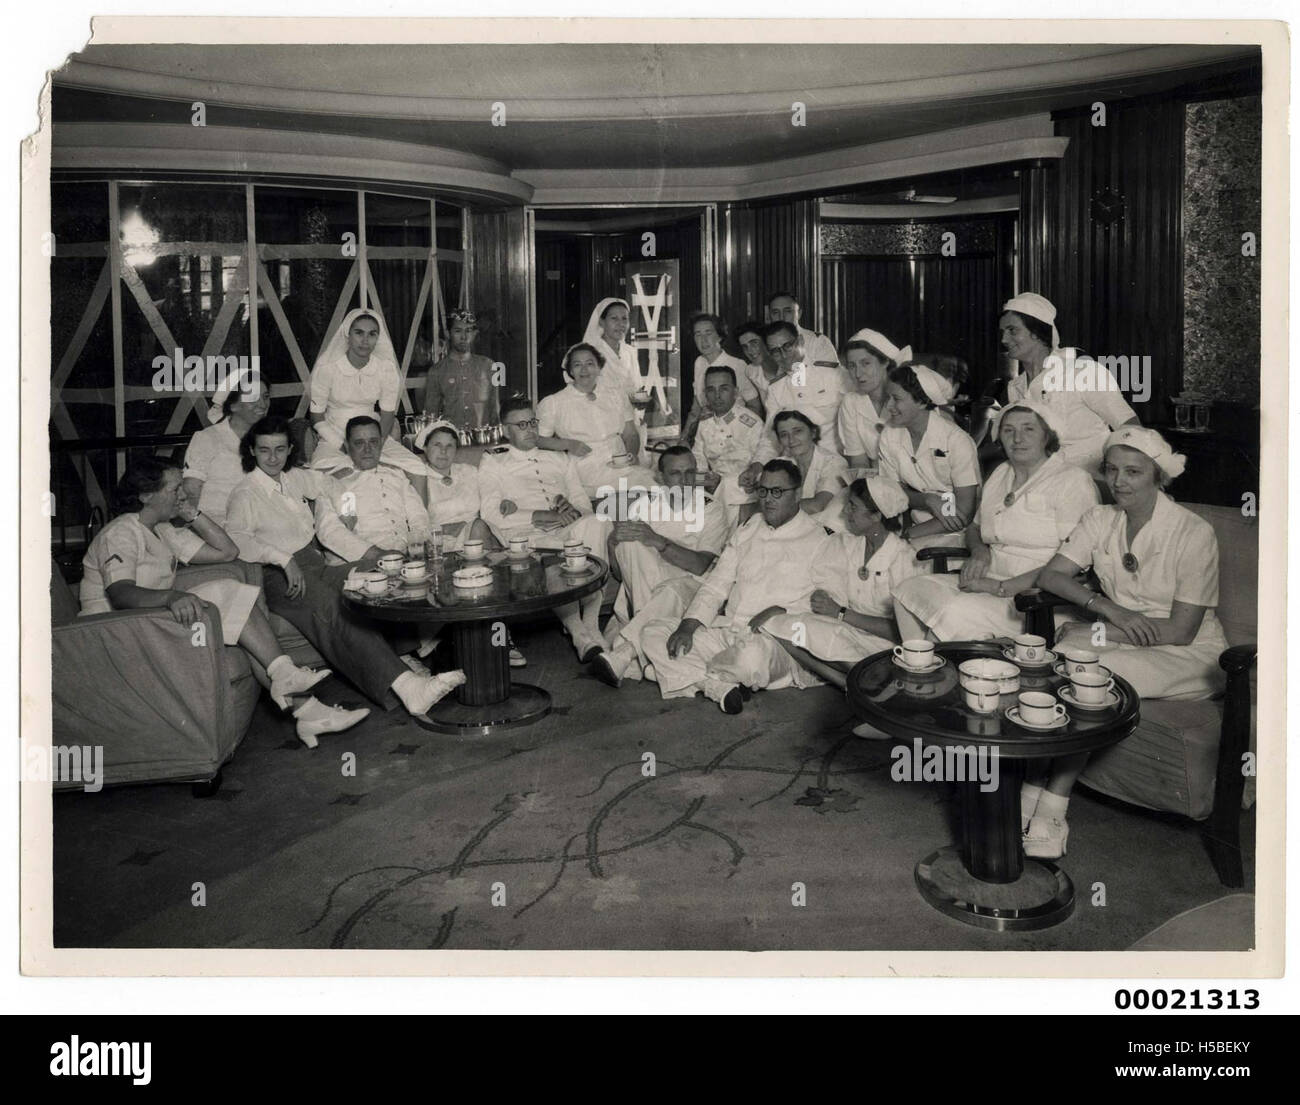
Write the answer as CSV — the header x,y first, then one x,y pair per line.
x,y
668,544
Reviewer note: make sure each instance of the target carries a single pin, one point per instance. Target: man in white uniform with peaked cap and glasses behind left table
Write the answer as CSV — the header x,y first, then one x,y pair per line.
x,y
526,491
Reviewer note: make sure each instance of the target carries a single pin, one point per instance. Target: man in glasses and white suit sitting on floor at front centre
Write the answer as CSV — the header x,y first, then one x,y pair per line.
x,y
765,569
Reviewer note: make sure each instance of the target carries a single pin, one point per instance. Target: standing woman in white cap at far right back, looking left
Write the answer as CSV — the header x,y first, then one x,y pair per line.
x,y
1084,393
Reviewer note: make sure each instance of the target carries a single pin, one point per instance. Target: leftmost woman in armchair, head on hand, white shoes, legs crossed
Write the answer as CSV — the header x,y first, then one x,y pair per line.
x,y
132,565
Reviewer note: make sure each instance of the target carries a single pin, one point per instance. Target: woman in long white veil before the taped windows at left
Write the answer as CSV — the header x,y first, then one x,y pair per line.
x,y
357,371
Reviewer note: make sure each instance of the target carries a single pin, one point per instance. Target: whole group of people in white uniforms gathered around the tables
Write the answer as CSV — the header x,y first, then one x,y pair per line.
x,y
774,548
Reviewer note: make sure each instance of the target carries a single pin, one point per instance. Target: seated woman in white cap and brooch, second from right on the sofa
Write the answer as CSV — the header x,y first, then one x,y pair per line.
x,y
1029,508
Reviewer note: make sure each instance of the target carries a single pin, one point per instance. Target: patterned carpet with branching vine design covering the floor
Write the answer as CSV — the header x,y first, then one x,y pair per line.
x,y
619,822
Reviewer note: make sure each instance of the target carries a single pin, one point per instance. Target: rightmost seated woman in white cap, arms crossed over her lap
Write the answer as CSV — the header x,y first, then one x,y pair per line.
x,y
1155,626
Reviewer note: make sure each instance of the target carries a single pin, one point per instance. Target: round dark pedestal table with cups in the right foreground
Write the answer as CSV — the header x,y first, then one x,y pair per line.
x,y
987,881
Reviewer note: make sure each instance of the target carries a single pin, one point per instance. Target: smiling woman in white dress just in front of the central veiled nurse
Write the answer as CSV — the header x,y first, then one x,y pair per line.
x,y
592,421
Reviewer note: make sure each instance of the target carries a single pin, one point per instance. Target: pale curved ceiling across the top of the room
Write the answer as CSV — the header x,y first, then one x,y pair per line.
x,y
617,109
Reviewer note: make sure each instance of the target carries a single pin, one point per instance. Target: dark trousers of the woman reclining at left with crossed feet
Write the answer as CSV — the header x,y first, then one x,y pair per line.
x,y
352,649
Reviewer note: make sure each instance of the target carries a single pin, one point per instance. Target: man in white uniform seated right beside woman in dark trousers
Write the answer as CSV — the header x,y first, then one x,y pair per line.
x,y
372,506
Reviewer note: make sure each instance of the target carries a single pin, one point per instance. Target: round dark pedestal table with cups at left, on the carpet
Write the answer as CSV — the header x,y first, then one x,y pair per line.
x,y
478,617
